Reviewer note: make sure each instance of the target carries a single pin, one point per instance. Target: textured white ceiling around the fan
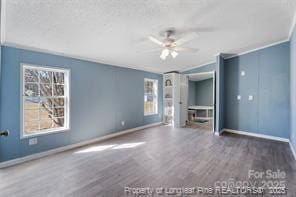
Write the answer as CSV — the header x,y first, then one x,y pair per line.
x,y
114,31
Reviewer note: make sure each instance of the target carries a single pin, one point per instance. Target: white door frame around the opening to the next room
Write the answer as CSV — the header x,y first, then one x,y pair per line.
x,y
213,73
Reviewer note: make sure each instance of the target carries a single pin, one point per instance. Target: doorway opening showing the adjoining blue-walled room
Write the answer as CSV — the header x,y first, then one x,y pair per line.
x,y
201,101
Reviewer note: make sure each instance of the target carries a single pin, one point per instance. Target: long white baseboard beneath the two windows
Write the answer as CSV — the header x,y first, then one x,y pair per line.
x,y
72,146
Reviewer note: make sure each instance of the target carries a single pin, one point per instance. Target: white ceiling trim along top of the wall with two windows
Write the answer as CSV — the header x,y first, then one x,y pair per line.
x,y
94,60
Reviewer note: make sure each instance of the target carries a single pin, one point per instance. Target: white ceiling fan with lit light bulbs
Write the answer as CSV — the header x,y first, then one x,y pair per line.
x,y
171,46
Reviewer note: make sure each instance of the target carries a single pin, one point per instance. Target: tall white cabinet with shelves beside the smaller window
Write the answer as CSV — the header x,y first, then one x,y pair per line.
x,y
171,99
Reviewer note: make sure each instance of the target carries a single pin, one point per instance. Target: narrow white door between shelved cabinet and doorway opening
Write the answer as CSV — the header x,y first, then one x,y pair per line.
x,y
183,99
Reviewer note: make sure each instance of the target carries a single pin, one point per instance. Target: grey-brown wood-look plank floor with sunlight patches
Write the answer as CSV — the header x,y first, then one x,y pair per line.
x,y
155,157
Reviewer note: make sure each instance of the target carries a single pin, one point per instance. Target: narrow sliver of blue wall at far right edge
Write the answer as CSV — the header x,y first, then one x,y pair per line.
x,y
293,88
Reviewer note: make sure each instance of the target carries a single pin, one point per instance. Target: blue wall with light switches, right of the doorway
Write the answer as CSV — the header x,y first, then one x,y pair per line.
x,y
267,74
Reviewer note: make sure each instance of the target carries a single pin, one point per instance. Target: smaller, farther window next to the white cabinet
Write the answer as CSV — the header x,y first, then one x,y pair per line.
x,y
150,96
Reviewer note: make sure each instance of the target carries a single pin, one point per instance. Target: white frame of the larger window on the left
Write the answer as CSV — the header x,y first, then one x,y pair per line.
x,y
66,102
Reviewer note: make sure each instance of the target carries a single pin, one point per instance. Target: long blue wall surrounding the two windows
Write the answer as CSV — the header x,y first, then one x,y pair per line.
x,y
101,96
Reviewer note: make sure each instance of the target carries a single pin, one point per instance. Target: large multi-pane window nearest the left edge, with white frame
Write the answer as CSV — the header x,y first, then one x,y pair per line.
x,y
45,100
